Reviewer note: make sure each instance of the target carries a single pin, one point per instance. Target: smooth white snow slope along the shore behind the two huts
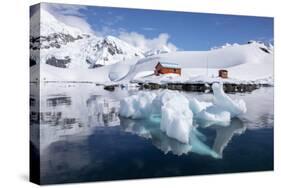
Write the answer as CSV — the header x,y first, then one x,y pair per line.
x,y
244,62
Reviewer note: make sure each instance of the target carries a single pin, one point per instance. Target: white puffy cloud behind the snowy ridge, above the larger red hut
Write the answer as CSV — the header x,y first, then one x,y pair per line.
x,y
145,44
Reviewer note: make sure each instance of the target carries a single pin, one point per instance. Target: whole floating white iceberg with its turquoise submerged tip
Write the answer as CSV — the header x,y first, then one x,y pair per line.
x,y
175,112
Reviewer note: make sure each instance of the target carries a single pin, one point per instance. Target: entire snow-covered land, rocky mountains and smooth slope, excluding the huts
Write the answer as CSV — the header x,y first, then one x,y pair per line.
x,y
68,54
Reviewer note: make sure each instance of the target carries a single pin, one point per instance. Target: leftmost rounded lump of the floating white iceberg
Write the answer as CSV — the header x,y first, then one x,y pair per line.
x,y
137,106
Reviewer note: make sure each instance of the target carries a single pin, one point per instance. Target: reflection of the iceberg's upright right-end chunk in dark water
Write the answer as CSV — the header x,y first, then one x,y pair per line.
x,y
225,134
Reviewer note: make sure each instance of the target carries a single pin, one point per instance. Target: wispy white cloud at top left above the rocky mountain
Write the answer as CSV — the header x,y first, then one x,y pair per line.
x,y
70,15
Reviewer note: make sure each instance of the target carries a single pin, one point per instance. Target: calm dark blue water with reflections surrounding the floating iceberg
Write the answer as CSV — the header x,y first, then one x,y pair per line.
x,y
82,138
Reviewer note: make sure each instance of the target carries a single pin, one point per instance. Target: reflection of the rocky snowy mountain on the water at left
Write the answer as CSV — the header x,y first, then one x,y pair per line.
x,y
64,115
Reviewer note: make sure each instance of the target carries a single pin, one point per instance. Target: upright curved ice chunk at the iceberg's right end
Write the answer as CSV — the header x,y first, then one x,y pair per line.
x,y
221,100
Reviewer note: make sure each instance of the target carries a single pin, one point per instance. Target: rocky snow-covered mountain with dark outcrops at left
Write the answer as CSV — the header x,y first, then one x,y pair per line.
x,y
64,46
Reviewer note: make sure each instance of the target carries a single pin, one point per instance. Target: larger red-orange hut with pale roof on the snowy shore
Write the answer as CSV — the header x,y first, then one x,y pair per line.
x,y
167,68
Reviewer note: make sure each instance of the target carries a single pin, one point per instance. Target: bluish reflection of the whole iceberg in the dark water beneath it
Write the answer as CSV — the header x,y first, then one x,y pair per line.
x,y
149,130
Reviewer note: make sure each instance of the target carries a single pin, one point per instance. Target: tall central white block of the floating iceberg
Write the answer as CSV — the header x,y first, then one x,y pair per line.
x,y
177,118
